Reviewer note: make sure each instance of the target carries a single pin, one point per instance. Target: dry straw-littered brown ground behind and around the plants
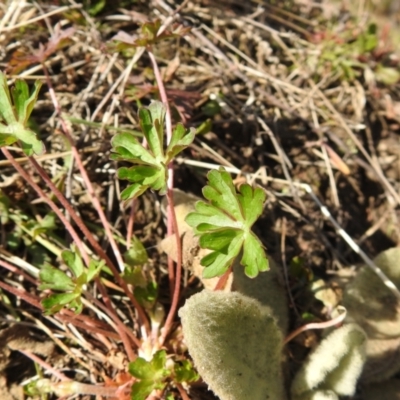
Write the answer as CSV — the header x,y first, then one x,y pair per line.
x,y
290,99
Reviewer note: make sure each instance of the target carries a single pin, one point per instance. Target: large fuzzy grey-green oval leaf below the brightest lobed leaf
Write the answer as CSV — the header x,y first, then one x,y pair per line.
x,y
235,344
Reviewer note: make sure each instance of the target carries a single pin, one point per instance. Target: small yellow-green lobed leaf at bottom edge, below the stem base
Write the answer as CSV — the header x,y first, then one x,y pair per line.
x,y
152,375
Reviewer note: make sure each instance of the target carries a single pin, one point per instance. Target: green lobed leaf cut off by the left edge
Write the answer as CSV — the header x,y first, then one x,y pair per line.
x,y
15,110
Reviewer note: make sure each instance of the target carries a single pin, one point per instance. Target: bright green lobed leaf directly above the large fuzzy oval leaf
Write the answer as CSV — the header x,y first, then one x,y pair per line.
x,y
224,226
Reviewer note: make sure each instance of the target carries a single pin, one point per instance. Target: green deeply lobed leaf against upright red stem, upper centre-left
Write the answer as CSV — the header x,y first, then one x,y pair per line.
x,y
150,169
